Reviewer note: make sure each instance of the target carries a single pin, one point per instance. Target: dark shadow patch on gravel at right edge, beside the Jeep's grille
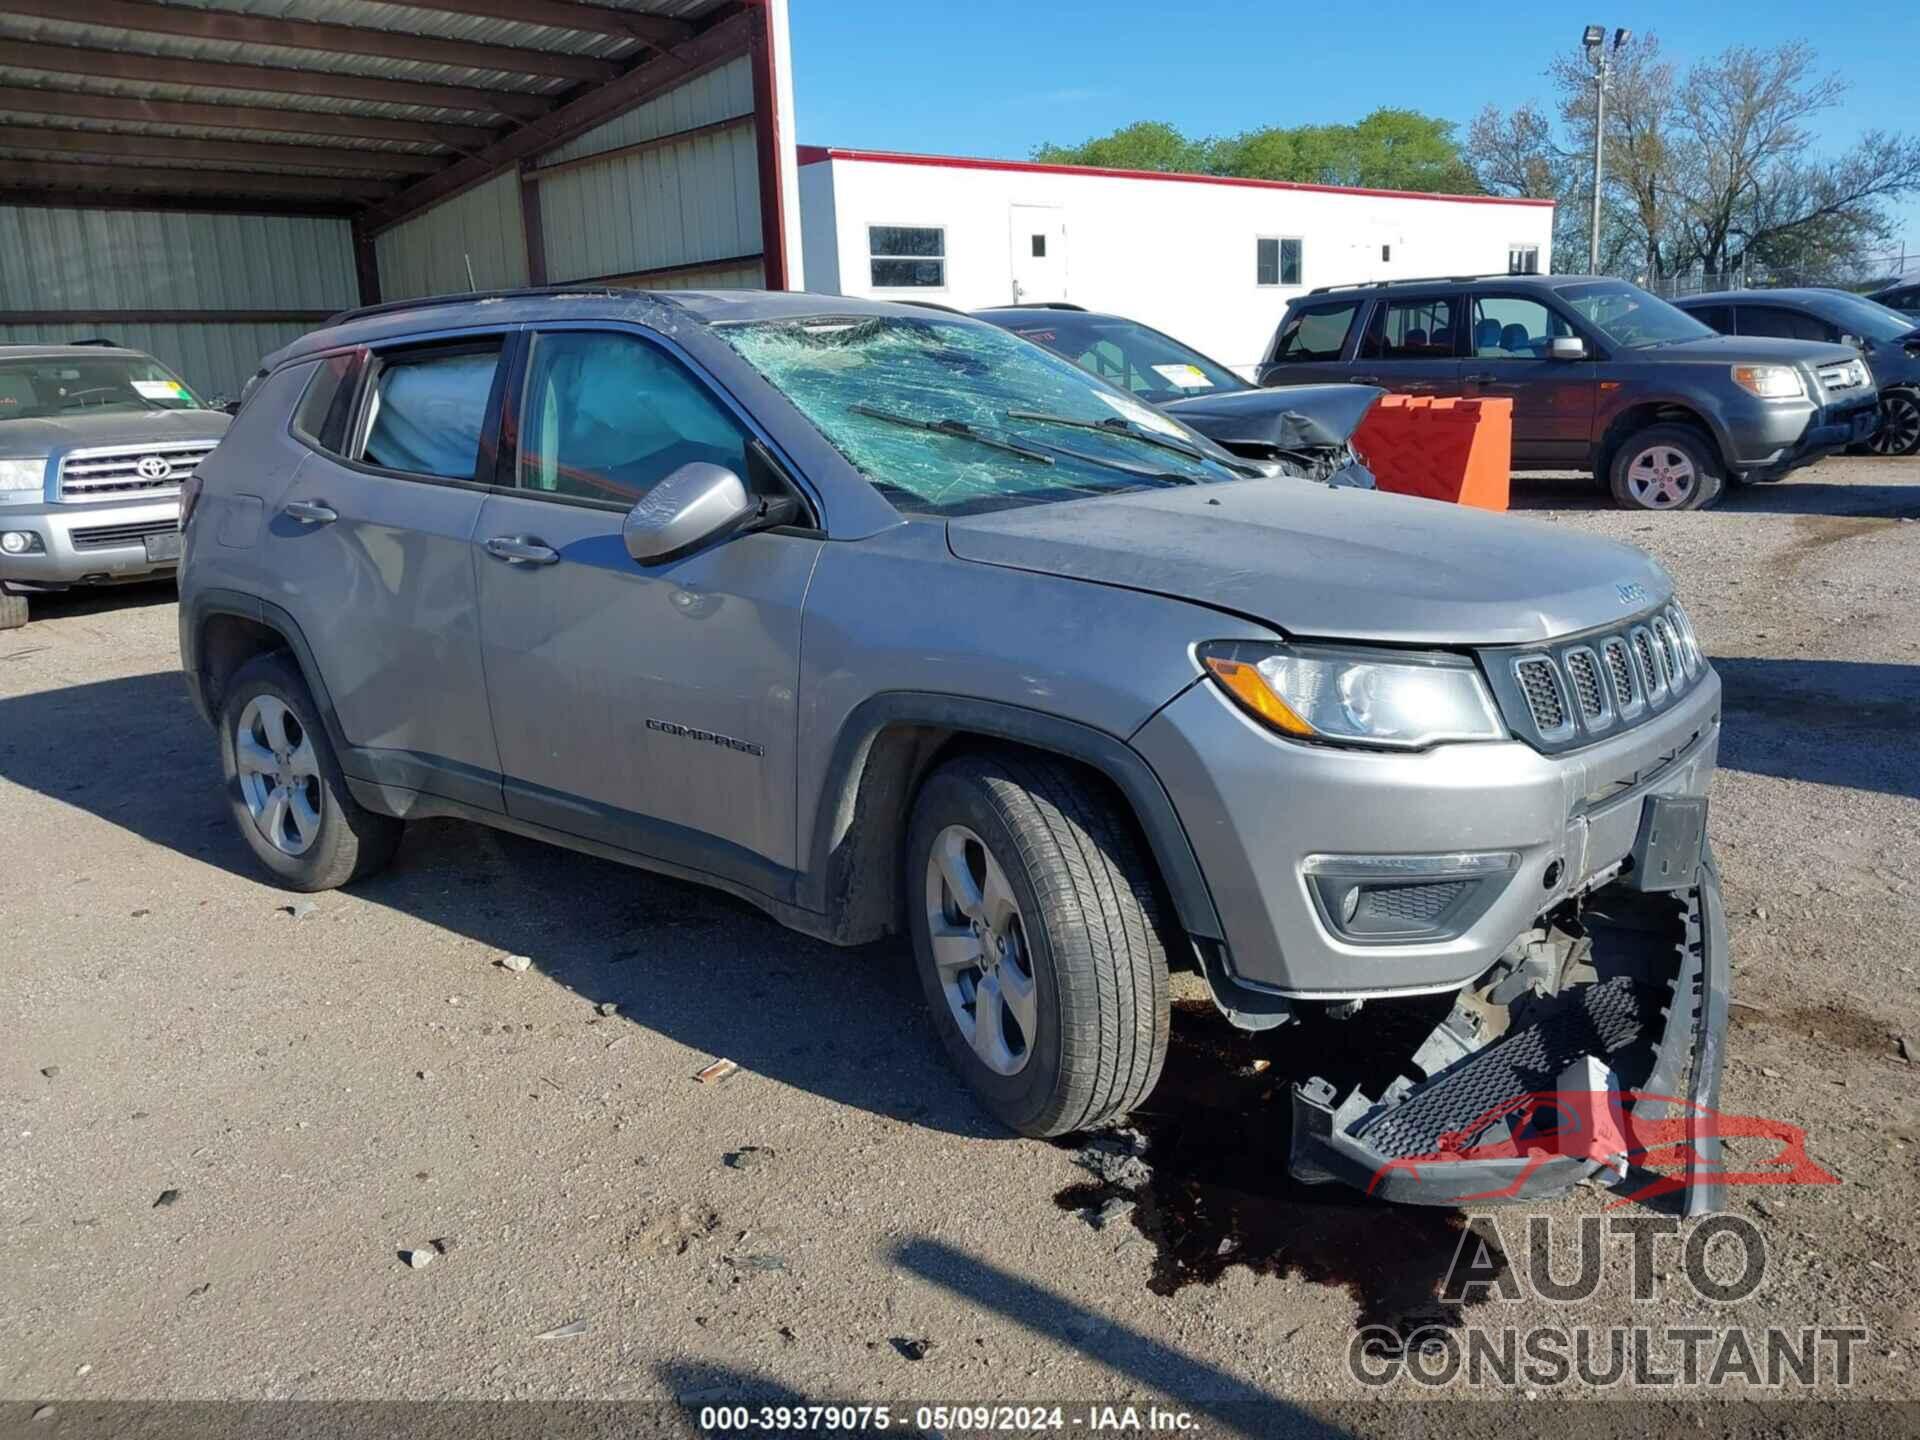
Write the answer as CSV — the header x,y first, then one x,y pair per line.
x,y
1867,717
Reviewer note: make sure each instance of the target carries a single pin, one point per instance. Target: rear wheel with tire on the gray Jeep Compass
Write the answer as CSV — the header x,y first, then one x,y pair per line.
x,y
287,790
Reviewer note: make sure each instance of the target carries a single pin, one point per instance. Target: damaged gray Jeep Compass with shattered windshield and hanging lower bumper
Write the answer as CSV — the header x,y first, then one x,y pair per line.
x,y
896,623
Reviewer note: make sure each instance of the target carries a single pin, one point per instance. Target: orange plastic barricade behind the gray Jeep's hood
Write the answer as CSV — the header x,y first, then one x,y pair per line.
x,y
1458,450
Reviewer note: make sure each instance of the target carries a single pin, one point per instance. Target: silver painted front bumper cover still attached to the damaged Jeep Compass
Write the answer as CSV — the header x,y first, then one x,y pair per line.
x,y
1257,805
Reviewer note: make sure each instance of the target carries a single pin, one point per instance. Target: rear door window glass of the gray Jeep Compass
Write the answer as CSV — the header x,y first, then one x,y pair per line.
x,y
427,410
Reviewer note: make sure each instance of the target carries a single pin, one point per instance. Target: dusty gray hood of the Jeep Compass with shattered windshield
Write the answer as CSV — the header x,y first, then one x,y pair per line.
x,y
1330,564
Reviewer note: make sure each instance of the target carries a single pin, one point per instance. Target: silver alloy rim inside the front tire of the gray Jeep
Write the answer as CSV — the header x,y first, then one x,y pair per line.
x,y
980,951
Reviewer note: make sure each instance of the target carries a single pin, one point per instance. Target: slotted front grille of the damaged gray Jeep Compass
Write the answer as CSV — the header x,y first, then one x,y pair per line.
x,y
1577,690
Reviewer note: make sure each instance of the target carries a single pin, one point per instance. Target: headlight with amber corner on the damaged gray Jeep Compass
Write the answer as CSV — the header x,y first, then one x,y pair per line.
x,y
1358,696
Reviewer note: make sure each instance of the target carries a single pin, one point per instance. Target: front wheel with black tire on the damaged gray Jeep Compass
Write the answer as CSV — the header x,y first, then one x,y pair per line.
x,y
1038,936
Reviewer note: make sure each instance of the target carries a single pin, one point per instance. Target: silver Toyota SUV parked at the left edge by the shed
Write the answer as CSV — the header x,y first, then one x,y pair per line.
x,y
95,443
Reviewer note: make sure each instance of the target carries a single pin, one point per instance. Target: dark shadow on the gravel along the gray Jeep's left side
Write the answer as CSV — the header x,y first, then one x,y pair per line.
x,y
679,959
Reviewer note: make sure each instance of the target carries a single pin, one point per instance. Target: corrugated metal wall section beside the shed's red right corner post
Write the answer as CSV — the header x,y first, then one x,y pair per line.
x,y
681,204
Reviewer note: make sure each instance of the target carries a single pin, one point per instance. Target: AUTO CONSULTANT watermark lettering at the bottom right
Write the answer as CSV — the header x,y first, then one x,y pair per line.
x,y
1721,1260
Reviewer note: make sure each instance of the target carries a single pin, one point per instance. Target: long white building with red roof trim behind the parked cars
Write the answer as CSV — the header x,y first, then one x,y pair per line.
x,y
1205,258
